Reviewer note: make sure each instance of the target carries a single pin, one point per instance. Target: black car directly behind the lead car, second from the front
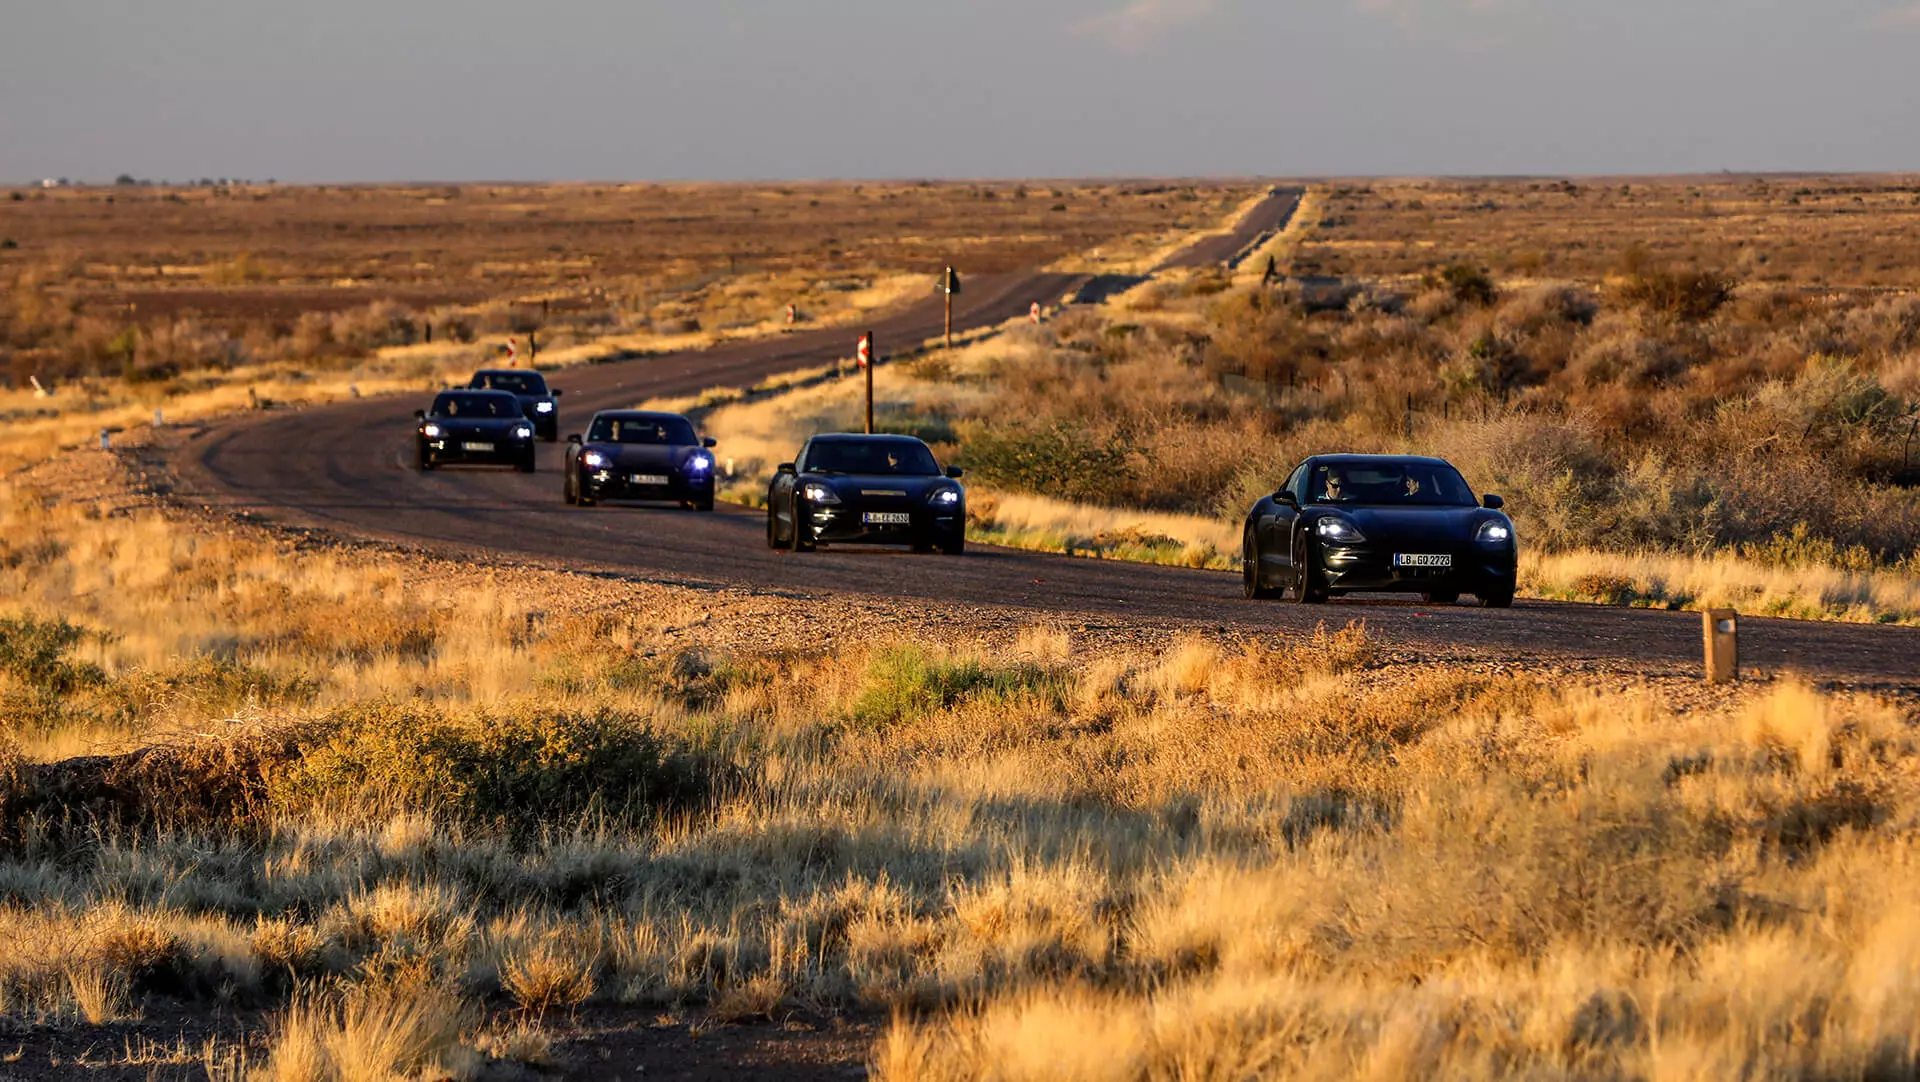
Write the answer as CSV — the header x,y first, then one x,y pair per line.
x,y
871,490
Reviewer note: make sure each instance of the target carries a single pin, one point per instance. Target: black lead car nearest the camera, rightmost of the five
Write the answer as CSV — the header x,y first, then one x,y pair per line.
x,y
1380,523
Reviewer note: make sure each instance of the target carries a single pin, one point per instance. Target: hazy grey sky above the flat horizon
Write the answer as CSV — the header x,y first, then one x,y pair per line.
x,y
752,89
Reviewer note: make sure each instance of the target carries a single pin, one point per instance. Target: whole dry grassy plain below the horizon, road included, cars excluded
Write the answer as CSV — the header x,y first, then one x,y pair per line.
x,y
295,795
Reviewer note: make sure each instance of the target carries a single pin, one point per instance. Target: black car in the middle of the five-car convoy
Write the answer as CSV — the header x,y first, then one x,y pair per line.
x,y
635,454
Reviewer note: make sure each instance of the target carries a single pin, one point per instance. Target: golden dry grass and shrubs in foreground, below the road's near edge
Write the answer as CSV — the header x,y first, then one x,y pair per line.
x,y
404,824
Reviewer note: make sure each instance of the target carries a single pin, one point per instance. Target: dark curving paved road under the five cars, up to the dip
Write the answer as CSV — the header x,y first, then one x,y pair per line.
x,y
348,469
